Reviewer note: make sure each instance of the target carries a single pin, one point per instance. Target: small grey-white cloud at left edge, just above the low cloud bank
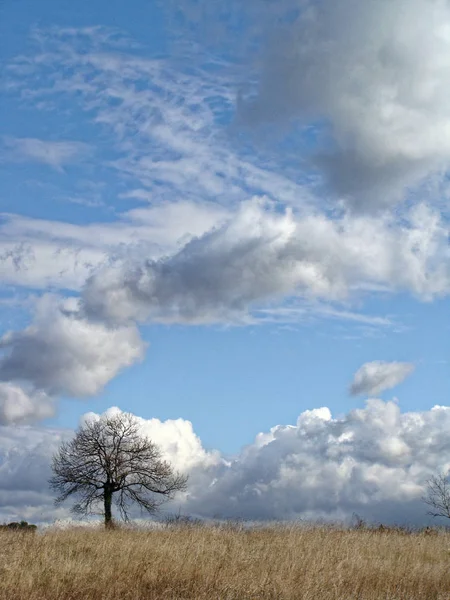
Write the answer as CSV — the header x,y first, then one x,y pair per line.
x,y
19,408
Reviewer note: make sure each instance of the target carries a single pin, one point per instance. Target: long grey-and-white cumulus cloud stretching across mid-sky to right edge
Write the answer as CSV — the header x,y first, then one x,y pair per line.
x,y
261,254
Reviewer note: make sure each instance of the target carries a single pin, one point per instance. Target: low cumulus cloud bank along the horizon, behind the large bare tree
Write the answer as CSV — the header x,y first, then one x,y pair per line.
x,y
374,461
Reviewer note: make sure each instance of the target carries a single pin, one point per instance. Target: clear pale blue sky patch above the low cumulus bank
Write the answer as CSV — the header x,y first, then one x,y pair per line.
x,y
234,382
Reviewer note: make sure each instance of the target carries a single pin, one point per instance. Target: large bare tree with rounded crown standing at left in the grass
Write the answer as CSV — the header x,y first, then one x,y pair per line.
x,y
109,460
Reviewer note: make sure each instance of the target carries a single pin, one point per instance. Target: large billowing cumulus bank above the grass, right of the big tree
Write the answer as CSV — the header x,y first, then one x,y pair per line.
x,y
373,461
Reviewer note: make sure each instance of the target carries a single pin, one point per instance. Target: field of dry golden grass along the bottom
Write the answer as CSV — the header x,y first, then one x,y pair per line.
x,y
207,563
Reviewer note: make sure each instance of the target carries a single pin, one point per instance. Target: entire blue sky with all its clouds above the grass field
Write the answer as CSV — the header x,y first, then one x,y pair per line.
x,y
232,222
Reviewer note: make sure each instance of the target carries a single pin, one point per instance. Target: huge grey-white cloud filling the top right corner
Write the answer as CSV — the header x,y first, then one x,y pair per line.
x,y
375,75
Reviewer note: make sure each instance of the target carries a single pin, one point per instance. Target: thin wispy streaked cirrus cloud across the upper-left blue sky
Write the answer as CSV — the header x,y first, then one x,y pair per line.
x,y
164,122
